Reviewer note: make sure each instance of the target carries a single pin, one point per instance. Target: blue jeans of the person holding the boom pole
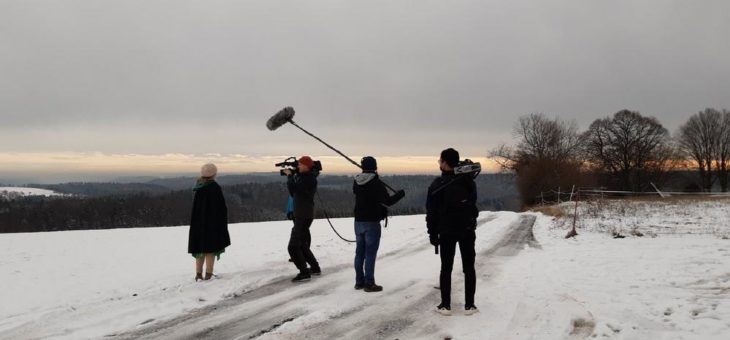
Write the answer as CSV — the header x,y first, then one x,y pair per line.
x,y
367,235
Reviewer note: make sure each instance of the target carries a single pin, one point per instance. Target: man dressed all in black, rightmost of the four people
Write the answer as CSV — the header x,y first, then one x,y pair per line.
x,y
451,219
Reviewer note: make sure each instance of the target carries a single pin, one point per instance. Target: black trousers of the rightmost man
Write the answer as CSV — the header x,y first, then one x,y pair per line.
x,y
468,254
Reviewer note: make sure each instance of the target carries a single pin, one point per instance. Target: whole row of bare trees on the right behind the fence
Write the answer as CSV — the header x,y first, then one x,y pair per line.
x,y
626,151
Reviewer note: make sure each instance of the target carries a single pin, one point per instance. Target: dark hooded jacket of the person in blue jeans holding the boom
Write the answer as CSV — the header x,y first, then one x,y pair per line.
x,y
371,198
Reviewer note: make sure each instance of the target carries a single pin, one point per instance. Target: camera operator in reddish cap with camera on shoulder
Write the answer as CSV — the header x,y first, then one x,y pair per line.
x,y
302,186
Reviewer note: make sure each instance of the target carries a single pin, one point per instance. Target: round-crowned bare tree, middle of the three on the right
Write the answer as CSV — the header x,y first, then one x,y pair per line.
x,y
630,147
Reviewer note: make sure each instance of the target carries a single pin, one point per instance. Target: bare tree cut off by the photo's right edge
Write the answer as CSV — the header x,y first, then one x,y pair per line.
x,y
702,140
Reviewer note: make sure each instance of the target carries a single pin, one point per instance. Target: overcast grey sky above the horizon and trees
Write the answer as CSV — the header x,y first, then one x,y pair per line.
x,y
388,78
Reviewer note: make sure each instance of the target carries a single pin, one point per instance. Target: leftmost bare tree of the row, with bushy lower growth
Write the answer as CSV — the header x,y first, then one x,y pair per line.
x,y
545,157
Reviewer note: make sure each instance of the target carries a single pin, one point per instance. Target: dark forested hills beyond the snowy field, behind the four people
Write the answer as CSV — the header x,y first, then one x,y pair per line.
x,y
247,202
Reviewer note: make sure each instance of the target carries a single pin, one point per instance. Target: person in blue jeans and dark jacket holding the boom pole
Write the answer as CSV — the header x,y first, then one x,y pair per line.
x,y
371,202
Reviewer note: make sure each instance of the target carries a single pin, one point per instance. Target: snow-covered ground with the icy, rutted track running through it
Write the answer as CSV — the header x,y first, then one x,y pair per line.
x,y
138,283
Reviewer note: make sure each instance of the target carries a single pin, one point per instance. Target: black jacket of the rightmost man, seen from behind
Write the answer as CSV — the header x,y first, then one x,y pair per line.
x,y
452,209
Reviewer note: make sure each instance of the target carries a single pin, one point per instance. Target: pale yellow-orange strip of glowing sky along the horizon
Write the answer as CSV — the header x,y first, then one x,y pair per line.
x,y
75,164
